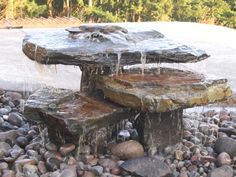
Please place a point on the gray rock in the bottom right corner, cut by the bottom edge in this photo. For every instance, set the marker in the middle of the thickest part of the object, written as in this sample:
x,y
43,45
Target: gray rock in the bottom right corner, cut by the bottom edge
x,y
224,171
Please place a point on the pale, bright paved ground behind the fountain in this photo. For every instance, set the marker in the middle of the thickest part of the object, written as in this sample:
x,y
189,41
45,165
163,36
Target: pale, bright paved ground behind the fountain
x,y
17,72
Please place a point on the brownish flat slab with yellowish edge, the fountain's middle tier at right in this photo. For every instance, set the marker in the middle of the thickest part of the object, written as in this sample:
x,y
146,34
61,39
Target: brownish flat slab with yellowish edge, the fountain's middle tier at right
x,y
168,90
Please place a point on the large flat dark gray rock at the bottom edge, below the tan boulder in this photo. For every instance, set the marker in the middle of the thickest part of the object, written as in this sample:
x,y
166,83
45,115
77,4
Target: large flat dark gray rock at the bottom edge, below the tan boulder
x,y
145,166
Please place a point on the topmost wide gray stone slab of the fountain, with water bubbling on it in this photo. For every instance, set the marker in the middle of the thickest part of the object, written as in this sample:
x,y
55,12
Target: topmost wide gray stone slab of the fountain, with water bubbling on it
x,y
102,45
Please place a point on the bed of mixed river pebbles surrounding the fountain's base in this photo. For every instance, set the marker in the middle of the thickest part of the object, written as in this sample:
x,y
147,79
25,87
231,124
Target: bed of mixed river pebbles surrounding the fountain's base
x,y
208,149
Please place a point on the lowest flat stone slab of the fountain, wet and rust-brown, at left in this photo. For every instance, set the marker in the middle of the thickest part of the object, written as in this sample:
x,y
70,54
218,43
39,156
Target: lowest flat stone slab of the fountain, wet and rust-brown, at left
x,y
74,113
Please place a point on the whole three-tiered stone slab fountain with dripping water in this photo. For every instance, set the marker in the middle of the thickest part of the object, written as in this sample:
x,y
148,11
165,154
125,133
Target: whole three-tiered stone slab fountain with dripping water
x,y
152,98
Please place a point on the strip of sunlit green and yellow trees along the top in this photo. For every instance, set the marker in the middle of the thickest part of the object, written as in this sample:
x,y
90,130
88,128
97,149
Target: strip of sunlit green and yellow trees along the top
x,y
219,12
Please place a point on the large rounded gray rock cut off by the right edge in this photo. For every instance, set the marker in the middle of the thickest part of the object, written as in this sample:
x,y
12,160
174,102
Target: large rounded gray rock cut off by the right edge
x,y
227,145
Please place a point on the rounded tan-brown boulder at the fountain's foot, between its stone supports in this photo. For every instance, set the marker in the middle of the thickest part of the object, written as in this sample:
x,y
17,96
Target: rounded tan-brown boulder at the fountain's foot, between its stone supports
x,y
128,150
